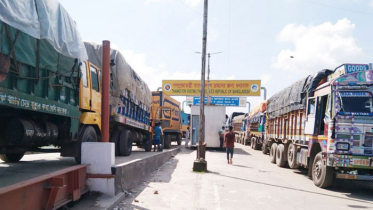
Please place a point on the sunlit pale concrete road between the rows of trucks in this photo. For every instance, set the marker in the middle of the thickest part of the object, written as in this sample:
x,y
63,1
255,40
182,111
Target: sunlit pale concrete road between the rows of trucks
x,y
252,182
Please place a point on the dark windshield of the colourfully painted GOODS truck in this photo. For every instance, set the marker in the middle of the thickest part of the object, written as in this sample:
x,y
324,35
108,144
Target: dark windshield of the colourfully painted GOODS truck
x,y
356,102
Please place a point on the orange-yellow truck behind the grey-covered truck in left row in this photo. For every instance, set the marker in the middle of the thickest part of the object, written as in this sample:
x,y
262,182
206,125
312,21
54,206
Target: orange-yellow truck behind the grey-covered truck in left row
x,y
171,113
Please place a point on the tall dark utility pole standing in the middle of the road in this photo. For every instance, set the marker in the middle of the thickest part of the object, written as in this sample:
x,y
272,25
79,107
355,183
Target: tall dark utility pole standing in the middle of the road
x,y
200,164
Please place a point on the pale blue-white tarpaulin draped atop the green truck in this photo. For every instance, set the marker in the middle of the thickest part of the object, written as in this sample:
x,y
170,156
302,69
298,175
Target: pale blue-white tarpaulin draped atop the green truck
x,y
46,20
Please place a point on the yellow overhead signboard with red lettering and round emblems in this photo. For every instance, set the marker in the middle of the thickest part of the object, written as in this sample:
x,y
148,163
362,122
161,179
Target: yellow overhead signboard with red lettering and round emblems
x,y
217,87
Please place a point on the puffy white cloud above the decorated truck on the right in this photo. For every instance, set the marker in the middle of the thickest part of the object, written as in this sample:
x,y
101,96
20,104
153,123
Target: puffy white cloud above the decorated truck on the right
x,y
317,47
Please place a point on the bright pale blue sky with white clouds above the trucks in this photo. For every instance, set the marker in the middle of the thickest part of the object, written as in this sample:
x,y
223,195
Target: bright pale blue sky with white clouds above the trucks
x,y
275,41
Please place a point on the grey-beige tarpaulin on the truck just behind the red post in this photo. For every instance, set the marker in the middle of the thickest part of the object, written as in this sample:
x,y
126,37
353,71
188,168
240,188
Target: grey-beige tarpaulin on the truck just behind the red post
x,y
124,78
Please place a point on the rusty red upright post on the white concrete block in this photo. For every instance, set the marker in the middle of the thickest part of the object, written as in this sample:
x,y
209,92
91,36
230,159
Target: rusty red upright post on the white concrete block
x,y
105,91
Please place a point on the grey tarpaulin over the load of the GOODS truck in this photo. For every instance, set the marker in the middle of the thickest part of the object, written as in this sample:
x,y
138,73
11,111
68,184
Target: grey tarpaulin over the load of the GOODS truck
x,y
289,99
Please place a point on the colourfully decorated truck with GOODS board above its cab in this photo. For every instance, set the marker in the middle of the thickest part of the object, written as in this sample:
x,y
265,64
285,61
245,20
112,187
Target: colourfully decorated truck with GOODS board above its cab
x,y
324,123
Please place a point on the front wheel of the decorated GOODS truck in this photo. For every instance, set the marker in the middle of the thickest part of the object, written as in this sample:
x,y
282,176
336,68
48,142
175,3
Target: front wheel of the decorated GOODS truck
x,y
322,175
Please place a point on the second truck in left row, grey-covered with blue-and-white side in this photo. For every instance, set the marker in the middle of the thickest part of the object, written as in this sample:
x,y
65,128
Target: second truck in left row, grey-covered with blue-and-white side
x,y
130,102
